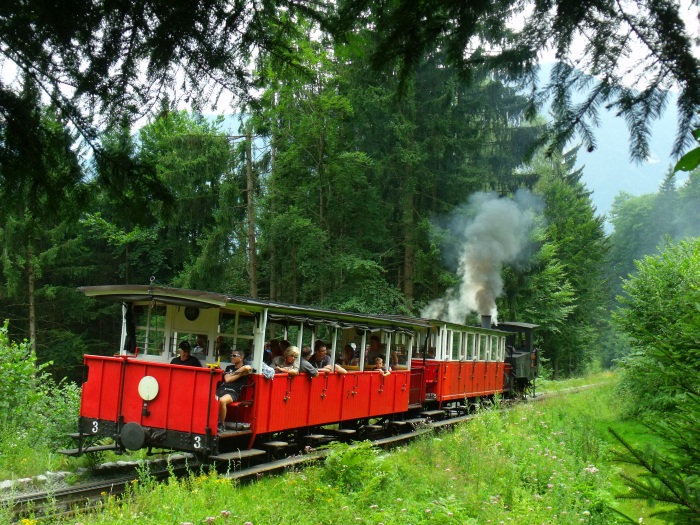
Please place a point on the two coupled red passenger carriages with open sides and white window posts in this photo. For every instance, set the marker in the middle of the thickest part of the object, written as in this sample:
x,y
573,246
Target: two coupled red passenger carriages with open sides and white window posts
x,y
139,399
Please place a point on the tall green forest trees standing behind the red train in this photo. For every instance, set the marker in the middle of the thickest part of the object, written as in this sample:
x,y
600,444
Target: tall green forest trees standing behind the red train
x,y
347,185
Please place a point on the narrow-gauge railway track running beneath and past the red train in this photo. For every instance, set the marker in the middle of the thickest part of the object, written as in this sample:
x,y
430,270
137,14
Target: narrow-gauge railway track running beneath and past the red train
x,y
65,502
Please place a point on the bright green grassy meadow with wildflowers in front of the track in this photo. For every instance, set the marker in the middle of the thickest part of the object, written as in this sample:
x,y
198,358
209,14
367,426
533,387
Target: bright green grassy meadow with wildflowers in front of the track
x,y
540,463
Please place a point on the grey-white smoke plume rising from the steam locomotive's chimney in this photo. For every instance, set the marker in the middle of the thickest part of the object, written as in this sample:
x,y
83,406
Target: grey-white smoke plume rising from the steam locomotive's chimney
x,y
491,232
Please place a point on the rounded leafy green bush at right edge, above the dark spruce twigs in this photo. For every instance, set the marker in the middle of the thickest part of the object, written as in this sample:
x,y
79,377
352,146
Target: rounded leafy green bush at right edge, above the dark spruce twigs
x,y
660,316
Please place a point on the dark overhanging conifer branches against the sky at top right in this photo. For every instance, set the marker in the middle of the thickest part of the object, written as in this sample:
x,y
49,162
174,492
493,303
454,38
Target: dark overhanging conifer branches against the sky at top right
x,y
406,31
